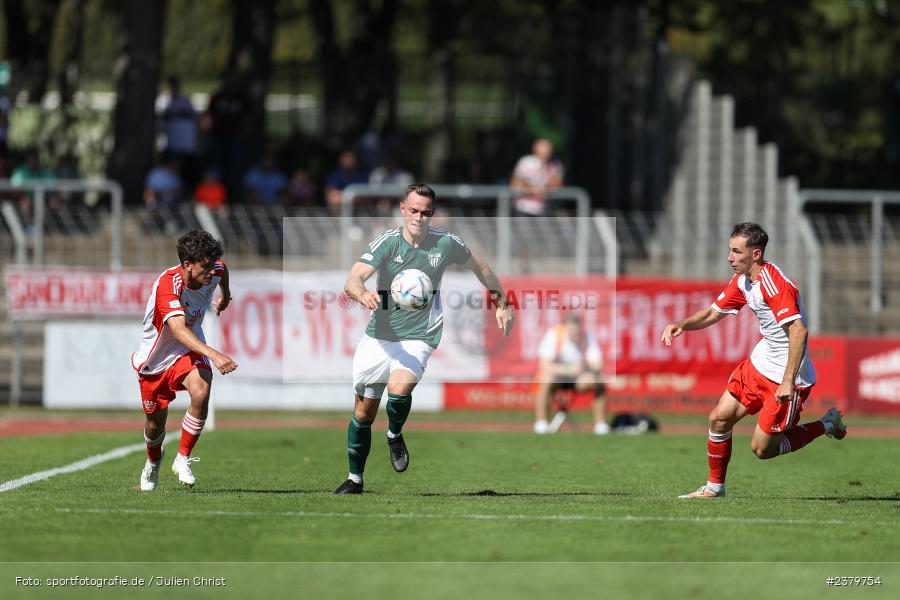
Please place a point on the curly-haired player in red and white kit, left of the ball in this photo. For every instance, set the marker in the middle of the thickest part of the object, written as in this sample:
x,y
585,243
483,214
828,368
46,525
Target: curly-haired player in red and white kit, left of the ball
x,y
173,354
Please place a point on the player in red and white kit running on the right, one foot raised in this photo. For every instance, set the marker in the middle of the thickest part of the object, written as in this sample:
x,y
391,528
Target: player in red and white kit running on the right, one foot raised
x,y
776,379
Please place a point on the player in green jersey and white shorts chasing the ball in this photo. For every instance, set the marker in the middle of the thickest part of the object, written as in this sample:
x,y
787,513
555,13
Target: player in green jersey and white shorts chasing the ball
x,y
397,343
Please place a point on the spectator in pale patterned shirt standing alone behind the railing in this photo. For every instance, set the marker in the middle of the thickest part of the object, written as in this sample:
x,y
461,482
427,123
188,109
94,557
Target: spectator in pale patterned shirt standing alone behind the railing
x,y
534,176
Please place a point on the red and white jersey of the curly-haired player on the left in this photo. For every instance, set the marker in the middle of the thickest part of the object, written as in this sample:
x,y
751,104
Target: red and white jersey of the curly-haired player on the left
x,y
170,297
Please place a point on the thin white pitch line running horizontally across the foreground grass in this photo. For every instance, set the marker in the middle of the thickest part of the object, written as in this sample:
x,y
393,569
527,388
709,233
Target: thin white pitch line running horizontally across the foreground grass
x,y
474,517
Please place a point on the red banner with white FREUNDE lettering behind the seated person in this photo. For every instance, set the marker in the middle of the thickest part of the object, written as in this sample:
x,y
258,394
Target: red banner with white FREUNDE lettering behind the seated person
x,y
627,317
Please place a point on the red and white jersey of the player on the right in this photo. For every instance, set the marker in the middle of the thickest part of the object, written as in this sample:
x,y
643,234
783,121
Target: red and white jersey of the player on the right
x,y
775,301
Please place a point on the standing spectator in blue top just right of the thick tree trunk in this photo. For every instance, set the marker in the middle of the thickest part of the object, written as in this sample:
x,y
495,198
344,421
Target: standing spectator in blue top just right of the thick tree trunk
x,y
179,125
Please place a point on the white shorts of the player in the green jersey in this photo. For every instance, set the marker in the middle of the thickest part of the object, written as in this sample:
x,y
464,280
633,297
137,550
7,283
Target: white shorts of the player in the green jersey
x,y
375,360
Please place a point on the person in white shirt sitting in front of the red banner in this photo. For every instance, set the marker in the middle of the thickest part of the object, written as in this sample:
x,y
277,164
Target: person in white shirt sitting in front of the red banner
x,y
570,359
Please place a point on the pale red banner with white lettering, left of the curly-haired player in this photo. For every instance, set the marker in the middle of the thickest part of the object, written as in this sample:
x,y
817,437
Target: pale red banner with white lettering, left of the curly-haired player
x,y
70,292
